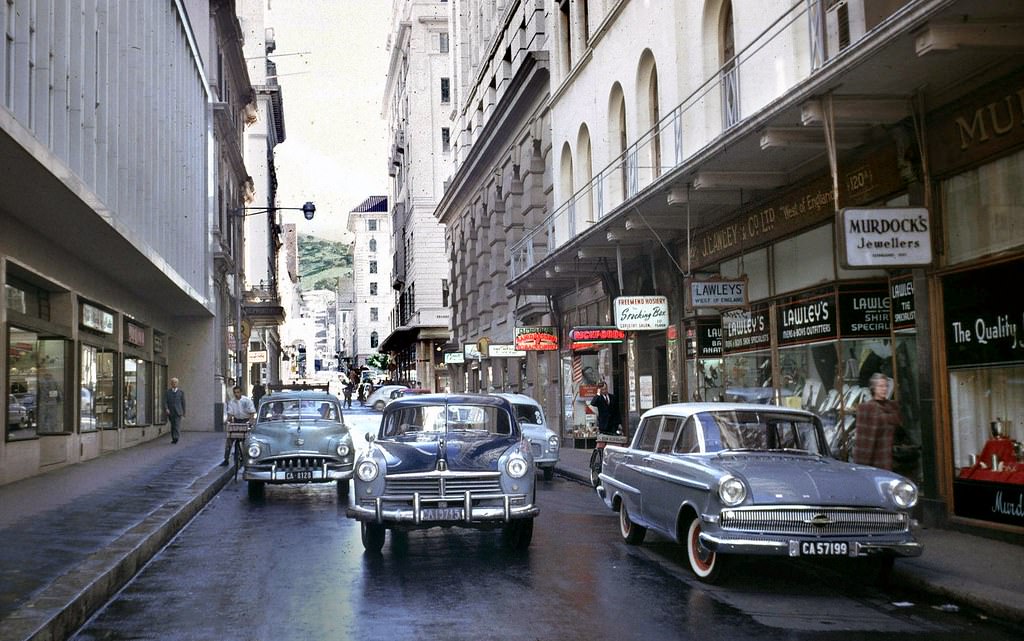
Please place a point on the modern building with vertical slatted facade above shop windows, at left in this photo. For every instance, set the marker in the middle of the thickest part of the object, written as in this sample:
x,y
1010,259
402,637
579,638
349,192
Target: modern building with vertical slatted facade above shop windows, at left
x,y
110,228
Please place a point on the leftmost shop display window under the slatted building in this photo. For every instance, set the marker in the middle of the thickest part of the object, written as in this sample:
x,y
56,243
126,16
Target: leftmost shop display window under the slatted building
x,y
37,378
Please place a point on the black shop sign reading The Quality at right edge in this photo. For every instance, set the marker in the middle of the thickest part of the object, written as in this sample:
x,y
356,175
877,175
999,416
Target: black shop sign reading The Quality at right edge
x,y
985,325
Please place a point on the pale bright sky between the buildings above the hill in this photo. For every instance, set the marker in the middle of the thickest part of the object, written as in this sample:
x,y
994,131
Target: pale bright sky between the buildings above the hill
x,y
332,65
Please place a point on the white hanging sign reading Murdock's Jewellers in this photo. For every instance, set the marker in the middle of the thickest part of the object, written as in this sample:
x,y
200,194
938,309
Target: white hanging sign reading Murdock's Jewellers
x,y
888,237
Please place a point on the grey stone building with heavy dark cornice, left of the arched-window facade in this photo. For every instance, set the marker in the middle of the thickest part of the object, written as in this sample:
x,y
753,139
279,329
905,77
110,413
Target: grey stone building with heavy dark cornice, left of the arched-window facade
x,y
500,189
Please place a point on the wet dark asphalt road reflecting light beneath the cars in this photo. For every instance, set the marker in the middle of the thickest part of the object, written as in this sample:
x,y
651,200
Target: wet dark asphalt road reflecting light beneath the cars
x,y
292,567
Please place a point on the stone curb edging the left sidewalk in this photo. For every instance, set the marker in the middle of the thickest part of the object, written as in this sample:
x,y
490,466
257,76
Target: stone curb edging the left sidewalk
x,y
69,603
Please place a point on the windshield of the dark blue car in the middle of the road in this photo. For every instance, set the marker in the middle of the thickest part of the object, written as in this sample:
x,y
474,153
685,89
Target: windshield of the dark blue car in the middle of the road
x,y
442,419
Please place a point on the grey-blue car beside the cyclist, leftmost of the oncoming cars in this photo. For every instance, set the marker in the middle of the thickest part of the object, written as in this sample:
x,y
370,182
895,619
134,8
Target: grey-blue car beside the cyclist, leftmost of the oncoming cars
x,y
298,438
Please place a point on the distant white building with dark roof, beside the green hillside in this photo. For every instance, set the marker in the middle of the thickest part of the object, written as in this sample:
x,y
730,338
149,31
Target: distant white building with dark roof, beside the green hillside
x,y
371,226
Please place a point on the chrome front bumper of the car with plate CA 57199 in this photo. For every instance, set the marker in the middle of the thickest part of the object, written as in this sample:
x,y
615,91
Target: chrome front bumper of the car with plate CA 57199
x,y
792,546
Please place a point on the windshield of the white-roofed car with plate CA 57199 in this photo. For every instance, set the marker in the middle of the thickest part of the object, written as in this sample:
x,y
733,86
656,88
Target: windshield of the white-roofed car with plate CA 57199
x,y
759,432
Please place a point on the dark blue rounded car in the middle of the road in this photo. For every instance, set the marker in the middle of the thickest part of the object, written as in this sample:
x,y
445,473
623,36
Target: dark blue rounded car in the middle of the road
x,y
443,461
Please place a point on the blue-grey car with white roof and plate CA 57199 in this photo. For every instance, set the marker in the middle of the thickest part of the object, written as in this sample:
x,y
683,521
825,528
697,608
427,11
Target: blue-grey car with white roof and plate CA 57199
x,y
728,480
